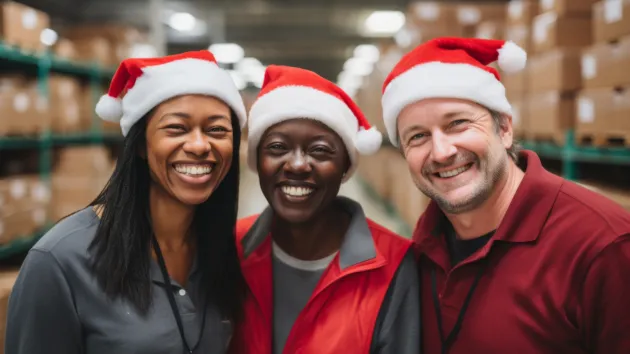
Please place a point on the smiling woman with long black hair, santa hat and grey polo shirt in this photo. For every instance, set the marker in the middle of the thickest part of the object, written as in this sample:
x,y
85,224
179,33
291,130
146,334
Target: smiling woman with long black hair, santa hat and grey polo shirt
x,y
150,266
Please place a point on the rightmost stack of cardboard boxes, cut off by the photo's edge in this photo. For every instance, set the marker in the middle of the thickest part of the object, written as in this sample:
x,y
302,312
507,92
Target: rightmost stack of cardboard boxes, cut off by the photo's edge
x,y
603,107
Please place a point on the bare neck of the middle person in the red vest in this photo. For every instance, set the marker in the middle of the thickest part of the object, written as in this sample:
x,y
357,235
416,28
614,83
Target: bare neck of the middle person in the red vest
x,y
315,239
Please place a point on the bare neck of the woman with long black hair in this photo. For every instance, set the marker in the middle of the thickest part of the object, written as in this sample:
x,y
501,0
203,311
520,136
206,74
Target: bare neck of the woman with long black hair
x,y
171,220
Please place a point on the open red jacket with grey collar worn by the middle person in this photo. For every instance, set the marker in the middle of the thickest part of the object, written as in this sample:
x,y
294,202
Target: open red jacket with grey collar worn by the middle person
x,y
363,303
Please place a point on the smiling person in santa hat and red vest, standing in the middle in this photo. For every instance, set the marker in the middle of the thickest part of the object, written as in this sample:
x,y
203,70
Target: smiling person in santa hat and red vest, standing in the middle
x,y
322,277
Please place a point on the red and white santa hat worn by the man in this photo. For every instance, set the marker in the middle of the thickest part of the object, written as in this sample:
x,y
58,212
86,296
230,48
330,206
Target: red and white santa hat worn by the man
x,y
450,68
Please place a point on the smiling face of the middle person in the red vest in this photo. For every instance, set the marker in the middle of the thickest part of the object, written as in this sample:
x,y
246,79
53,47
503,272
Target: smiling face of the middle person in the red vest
x,y
300,165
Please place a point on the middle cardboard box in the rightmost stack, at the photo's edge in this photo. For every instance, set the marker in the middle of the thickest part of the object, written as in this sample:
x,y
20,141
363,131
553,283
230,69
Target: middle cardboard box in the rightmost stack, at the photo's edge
x,y
606,64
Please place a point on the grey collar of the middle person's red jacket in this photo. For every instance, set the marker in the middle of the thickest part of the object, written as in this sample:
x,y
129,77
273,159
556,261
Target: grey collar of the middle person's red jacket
x,y
357,245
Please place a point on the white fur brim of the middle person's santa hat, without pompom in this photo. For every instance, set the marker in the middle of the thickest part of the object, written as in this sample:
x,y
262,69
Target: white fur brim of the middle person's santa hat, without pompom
x,y
294,102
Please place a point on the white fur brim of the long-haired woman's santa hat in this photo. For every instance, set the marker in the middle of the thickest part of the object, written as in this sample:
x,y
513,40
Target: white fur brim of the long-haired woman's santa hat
x,y
182,77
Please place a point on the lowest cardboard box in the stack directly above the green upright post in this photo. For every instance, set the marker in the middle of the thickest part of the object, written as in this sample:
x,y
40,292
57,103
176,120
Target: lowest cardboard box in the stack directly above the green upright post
x,y
550,113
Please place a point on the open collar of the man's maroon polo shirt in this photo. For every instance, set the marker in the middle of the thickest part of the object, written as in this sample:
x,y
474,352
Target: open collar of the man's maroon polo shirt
x,y
531,206
